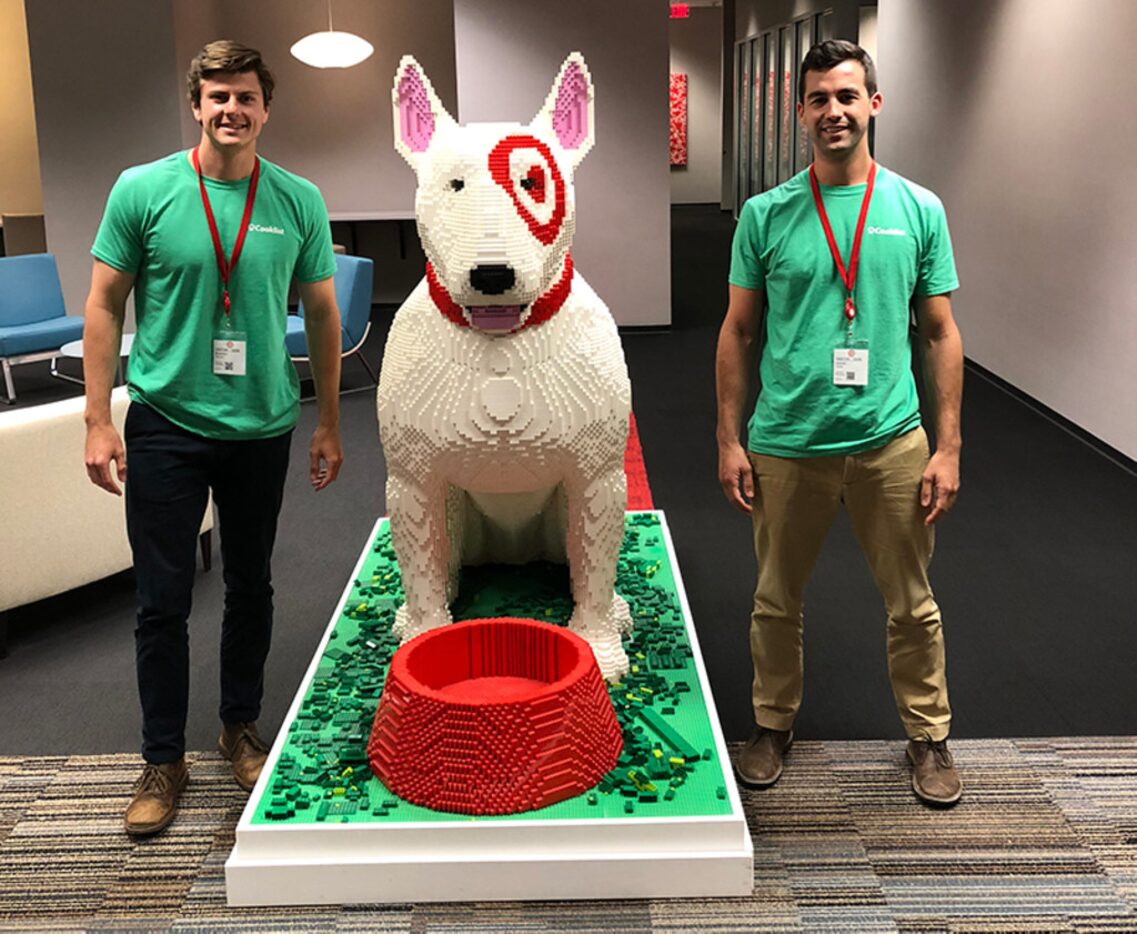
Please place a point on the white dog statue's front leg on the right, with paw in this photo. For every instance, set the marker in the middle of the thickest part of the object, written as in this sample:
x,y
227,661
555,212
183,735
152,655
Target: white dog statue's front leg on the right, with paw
x,y
596,531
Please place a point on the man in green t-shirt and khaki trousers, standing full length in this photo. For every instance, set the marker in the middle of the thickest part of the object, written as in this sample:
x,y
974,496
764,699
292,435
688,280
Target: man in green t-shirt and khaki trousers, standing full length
x,y
831,263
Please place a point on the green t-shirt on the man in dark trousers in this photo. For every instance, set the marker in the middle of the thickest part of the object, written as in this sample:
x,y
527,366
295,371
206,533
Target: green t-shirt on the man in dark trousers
x,y
155,227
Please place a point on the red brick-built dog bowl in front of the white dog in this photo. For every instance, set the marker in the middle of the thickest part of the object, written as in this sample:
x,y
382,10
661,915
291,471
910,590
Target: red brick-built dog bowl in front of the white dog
x,y
494,716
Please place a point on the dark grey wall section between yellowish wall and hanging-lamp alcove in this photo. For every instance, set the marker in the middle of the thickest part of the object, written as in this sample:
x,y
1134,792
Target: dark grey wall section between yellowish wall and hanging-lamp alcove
x,y
105,84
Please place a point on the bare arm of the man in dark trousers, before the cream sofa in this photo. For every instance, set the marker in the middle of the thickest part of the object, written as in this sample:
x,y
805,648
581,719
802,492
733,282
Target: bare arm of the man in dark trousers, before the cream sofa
x,y
103,335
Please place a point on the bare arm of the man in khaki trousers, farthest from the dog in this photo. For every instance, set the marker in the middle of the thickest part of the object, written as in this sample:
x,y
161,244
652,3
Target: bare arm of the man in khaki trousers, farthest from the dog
x,y
942,357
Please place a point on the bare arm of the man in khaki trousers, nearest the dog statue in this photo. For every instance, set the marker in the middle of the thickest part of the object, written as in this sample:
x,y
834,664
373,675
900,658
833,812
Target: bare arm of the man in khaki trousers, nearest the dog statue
x,y
734,363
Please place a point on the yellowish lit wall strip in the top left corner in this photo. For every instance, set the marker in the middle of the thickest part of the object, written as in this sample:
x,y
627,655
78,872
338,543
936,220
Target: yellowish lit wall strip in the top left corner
x,y
20,159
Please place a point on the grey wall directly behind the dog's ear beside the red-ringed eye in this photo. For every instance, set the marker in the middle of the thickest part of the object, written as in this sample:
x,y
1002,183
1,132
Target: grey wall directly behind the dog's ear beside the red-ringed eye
x,y
509,53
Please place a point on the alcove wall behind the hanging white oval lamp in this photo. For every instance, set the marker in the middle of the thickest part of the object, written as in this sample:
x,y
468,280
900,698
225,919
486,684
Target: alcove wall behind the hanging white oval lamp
x,y
330,126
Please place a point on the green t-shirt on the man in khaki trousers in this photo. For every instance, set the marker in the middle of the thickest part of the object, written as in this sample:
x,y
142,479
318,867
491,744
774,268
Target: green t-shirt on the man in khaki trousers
x,y
781,247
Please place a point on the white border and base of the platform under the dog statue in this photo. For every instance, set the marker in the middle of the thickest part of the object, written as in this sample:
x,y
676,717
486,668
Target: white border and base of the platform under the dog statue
x,y
487,861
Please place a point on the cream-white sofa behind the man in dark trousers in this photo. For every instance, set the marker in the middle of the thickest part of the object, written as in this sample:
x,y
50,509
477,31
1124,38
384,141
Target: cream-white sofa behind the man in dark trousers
x,y
57,530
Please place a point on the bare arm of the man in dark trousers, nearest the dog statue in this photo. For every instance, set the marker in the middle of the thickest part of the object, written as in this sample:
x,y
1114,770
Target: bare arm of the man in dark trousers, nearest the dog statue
x,y
322,328
